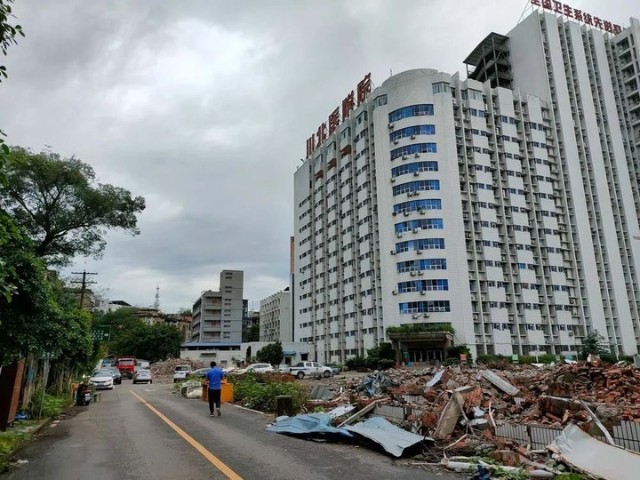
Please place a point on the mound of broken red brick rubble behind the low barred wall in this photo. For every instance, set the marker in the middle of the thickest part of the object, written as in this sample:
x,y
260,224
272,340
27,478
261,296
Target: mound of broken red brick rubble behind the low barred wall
x,y
550,395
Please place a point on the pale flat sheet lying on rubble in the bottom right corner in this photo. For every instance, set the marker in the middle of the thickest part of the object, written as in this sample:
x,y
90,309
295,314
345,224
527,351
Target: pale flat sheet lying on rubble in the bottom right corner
x,y
595,457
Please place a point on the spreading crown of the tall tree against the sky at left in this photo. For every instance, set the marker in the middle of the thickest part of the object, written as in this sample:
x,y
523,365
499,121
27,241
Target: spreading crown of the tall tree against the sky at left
x,y
61,207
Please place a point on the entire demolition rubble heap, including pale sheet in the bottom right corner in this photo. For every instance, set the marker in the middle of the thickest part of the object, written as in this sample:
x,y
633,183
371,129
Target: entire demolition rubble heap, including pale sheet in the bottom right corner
x,y
460,410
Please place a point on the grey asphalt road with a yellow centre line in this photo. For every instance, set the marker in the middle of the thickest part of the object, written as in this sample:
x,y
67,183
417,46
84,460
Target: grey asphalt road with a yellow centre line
x,y
147,432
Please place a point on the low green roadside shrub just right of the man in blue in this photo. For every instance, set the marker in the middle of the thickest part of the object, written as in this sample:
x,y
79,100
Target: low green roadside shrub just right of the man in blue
x,y
259,391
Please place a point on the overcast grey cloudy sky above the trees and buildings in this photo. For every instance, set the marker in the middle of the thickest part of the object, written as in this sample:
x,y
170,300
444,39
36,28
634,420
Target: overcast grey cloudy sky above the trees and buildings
x,y
204,107
